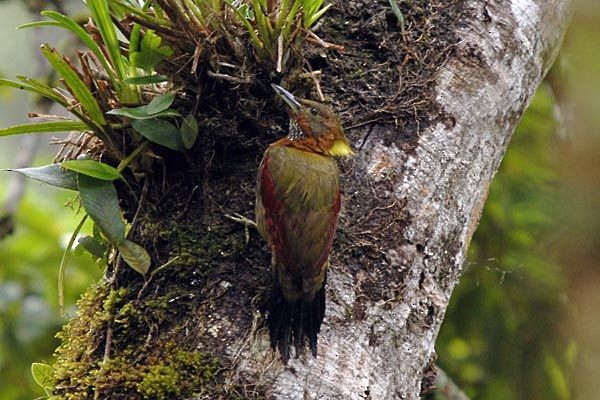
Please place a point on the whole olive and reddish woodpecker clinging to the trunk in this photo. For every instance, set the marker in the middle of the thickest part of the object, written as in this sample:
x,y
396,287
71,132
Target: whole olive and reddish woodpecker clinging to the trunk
x,y
297,204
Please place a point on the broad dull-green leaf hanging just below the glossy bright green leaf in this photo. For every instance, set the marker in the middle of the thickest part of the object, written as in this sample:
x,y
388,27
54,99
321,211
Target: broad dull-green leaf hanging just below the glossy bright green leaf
x,y
100,201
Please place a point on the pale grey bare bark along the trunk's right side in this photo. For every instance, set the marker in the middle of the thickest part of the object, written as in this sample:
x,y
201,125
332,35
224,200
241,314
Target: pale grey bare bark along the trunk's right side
x,y
439,190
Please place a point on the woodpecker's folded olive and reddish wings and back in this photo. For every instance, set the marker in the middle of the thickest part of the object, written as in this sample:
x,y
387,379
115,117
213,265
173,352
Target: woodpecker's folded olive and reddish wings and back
x,y
299,192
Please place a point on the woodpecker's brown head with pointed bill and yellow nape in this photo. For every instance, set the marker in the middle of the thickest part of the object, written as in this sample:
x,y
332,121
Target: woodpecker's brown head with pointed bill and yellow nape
x,y
314,125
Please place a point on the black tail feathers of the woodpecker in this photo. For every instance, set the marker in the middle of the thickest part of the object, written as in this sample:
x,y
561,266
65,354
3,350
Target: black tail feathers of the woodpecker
x,y
290,322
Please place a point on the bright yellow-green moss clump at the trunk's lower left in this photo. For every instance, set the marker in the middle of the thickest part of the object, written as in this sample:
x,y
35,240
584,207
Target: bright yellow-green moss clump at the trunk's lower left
x,y
137,368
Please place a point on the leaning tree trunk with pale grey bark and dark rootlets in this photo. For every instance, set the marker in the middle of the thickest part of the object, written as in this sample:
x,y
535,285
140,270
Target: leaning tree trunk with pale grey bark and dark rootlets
x,y
413,196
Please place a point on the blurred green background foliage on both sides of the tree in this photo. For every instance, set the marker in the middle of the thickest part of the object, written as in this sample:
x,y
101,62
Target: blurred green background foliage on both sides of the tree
x,y
523,324
